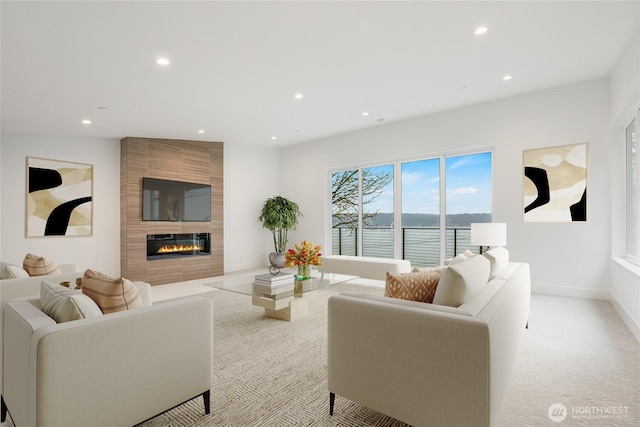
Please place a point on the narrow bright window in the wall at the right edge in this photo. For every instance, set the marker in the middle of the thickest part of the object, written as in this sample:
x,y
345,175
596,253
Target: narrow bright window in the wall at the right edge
x,y
633,196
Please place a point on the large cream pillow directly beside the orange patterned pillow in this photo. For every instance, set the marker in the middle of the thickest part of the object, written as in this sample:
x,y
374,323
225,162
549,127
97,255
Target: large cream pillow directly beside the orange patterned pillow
x,y
461,280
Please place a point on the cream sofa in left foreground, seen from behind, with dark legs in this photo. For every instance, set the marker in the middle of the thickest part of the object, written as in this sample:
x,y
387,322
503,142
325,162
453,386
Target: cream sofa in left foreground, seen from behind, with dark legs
x,y
118,369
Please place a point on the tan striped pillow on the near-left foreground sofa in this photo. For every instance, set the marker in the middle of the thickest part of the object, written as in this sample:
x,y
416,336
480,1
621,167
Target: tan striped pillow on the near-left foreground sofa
x,y
110,294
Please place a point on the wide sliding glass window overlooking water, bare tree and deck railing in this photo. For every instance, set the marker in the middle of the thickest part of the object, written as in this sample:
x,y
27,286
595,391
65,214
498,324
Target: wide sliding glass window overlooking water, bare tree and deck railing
x,y
434,200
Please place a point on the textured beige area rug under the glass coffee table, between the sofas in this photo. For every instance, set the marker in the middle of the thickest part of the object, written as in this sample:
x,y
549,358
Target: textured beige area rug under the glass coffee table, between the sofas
x,y
270,372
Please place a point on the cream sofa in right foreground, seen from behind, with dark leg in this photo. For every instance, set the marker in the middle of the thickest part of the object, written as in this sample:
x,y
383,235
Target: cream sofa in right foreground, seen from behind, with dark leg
x,y
427,364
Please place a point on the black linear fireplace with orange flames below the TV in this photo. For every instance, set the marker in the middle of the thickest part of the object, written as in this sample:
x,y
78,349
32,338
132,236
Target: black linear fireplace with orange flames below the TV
x,y
163,246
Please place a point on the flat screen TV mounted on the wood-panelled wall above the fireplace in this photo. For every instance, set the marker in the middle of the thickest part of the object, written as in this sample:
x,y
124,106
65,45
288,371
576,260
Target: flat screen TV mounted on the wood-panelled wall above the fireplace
x,y
164,200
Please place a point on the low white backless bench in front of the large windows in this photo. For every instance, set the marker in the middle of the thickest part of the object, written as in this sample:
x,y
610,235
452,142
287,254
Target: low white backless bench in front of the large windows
x,y
365,267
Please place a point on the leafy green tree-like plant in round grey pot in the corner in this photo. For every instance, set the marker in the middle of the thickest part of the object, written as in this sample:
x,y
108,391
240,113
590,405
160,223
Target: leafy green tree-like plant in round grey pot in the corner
x,y
279,215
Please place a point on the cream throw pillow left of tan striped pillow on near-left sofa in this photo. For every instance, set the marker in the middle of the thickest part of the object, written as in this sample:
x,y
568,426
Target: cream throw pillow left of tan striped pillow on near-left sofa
x,y
63,304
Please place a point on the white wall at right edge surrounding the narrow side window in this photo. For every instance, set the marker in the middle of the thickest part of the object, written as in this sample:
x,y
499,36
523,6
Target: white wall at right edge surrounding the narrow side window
x,y
625,101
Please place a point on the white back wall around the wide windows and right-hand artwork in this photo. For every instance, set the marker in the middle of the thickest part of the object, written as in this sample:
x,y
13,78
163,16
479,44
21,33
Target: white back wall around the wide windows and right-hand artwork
x,y
570,259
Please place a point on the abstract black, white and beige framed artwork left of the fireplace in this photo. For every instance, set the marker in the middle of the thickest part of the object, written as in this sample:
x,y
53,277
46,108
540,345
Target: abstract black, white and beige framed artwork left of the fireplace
x,y
59,198
